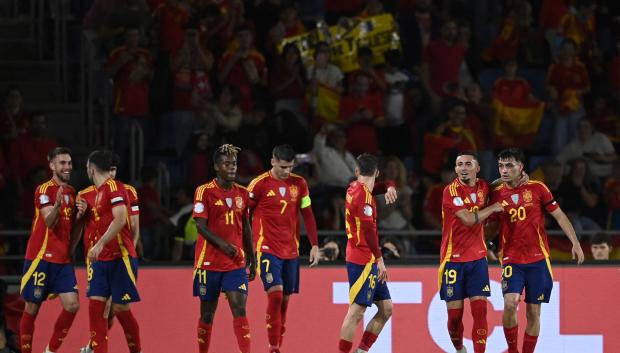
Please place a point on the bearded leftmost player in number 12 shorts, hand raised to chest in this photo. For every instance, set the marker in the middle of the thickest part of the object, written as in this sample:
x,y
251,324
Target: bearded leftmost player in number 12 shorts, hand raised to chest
x,y
48,269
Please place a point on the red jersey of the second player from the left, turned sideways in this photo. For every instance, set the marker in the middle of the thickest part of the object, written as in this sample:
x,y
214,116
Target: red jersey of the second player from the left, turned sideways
x,y
110,194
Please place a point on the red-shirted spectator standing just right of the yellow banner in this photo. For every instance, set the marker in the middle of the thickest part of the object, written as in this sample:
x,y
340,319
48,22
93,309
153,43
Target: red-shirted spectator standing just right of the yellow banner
x,y
442,62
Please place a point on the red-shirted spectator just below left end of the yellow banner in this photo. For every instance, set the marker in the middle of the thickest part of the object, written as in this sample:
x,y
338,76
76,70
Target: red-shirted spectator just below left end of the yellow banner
x,y
288,81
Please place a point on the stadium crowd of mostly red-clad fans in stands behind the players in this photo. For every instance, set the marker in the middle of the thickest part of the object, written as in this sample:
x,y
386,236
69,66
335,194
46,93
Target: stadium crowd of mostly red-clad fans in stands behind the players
x,y
543,75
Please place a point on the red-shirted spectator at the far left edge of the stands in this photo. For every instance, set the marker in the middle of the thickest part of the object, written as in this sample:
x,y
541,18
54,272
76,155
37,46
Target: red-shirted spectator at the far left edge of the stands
x,y
13,120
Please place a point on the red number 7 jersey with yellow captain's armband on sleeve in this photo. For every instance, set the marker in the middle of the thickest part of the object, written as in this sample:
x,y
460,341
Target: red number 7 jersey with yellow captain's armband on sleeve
x,y
275,222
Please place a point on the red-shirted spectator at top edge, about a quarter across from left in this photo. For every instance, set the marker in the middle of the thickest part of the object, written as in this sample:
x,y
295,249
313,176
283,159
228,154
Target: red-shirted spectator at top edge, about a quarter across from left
x,y
172,18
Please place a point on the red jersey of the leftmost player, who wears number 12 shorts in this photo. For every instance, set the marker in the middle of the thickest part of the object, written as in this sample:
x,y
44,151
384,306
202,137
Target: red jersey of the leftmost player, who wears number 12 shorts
x,y
52,245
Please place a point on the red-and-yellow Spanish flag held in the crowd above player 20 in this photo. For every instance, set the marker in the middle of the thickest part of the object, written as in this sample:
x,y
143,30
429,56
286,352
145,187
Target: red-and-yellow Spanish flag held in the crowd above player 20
x,y
517,117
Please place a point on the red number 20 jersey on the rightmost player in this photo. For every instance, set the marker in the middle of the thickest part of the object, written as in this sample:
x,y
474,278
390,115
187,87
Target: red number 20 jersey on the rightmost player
x,y
523,239
